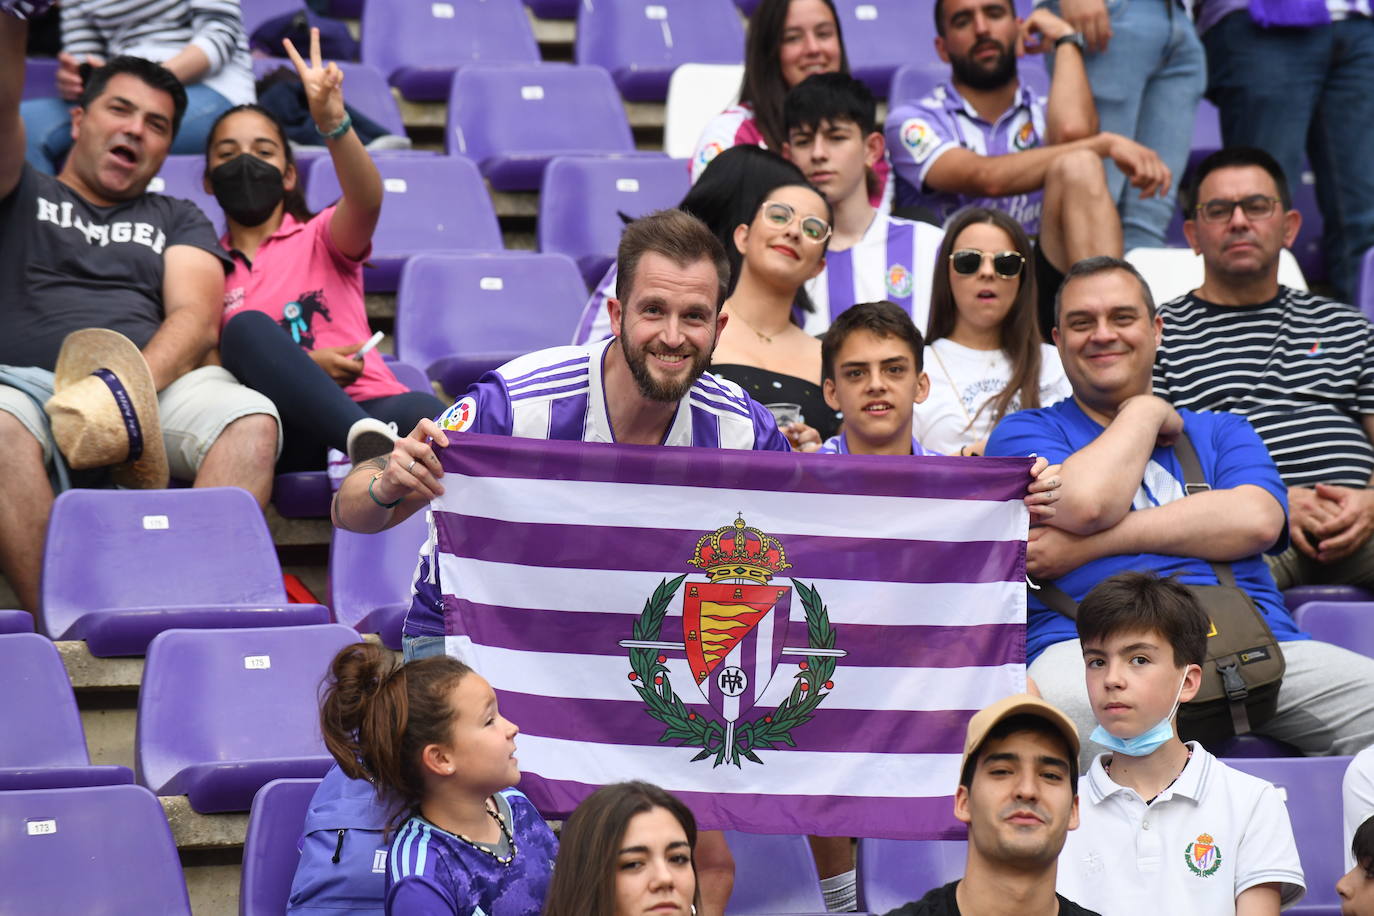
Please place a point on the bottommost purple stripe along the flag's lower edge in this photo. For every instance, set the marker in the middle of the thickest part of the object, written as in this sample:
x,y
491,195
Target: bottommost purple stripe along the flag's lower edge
x,y
861,816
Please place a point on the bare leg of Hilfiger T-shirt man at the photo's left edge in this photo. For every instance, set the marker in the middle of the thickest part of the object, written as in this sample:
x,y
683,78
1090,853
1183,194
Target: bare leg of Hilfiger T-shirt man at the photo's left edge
x,y
25,505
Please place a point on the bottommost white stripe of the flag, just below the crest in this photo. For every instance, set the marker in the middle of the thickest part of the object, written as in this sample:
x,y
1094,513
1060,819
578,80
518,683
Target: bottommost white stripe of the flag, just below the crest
x,y
792,772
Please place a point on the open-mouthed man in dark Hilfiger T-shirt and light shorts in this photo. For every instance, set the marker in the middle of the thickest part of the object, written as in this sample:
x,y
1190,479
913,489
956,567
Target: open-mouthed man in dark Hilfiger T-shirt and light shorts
x,y
91,248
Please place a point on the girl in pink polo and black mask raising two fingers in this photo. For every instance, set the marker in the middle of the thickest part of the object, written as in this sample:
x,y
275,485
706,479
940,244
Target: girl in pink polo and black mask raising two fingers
x,y
293,303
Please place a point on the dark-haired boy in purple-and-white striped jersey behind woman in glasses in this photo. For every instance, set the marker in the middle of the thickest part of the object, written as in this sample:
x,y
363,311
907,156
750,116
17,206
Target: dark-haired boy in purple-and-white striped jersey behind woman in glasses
x,y
835,138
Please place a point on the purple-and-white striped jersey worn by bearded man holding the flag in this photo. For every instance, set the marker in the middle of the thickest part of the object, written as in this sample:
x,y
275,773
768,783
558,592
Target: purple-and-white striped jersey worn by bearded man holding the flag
x,y
560,395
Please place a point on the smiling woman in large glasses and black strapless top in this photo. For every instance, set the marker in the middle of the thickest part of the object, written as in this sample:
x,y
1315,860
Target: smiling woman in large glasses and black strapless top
x,y
763,348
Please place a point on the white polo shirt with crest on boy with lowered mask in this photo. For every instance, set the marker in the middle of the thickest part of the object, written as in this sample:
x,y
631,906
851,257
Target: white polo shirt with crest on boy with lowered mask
x,y
1211,836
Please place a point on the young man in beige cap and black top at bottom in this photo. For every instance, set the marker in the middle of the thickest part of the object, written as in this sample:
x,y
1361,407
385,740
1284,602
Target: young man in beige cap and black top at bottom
x,y
1019,796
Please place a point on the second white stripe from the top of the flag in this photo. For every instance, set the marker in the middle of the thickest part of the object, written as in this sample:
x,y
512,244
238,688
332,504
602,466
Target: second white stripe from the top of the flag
x,y
850,602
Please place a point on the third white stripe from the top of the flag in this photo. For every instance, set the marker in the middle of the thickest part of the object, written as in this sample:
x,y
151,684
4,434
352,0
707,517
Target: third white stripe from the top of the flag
x,y
864,689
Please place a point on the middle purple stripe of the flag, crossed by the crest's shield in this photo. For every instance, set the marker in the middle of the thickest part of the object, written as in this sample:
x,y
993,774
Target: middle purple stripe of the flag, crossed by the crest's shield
x,y
868,645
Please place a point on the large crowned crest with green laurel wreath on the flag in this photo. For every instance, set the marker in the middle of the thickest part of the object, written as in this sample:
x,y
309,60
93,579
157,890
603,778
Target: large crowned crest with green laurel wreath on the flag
x,y
736,630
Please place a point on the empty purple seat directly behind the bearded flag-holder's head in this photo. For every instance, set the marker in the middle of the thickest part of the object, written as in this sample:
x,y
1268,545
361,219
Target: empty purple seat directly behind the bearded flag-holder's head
x,y
583,198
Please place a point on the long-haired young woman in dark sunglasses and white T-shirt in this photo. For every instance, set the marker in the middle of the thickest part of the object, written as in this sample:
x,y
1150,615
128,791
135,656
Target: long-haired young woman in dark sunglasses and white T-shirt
x,y
983,345
